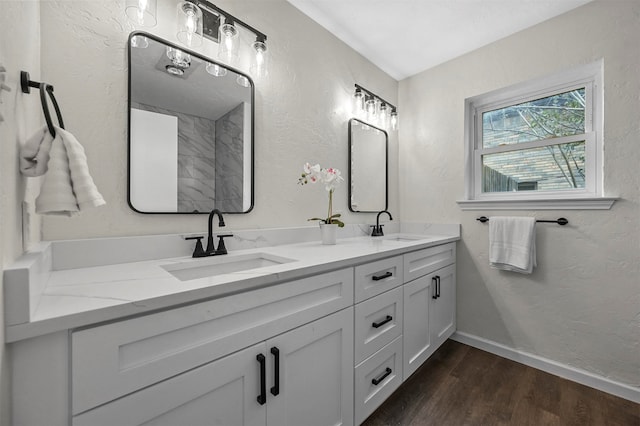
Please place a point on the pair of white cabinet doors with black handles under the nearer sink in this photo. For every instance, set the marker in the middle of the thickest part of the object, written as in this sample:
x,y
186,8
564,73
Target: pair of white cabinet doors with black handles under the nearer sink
x,y
302,377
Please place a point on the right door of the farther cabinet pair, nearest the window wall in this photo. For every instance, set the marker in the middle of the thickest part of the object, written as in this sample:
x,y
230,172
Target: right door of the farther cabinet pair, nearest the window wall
x,y
444,306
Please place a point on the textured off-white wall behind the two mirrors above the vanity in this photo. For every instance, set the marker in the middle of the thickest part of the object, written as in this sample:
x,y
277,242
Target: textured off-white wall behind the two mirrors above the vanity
x,y
300,112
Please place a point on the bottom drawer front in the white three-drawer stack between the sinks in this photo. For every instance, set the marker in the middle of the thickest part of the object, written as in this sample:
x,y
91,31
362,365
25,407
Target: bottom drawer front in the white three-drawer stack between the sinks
x,y
377,378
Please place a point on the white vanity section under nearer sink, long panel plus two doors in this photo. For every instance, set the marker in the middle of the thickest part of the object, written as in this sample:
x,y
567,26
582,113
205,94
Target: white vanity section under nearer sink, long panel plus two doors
x,y
191,365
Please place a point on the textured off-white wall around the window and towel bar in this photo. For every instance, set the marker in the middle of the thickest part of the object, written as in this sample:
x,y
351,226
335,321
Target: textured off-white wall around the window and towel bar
x,y
581,305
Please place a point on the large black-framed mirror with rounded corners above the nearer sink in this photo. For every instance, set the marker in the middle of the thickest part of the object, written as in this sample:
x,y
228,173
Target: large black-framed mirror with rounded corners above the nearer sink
x,y
190,131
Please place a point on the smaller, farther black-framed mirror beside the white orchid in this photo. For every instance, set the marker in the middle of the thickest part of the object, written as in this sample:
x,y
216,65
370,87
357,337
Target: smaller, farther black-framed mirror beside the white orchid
x,y
368,167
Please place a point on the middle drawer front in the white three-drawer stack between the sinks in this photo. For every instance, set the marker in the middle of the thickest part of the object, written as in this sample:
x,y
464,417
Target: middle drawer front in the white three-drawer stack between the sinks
x,y
378,321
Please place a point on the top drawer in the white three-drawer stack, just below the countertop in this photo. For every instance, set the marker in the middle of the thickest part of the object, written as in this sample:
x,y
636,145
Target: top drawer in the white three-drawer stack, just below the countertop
x,y
377,277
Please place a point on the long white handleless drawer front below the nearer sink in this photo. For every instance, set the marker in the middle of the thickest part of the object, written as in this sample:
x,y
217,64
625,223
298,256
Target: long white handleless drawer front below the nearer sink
x,y
116,359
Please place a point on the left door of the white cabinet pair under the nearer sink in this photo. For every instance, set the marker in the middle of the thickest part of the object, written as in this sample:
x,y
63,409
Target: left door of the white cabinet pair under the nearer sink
x,y
222,393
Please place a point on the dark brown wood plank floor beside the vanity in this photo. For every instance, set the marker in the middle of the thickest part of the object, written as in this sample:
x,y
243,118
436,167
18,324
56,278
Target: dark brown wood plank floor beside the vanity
x,y
462,385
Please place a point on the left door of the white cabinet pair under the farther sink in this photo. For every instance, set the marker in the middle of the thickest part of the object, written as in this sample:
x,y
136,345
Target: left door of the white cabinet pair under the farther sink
x,y
417,344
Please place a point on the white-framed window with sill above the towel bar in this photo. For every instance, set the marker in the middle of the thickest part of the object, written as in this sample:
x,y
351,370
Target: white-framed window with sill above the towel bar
x,y
537,143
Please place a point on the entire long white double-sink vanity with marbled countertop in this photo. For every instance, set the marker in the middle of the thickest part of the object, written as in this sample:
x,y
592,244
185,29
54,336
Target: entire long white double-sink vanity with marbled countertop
x,y
295,334
